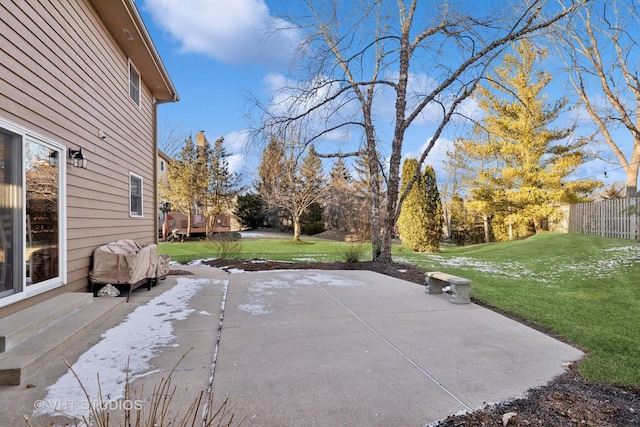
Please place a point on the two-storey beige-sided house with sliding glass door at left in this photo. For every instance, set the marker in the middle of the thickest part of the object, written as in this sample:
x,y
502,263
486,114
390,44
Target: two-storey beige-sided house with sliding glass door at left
x,y
74,75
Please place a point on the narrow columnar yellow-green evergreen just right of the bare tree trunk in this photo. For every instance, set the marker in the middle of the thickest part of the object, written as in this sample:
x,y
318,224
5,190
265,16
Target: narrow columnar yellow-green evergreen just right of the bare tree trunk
x,y
421,219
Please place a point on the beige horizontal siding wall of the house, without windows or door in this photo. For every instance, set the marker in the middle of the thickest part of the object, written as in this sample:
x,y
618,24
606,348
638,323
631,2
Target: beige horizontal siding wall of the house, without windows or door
x,y
63,76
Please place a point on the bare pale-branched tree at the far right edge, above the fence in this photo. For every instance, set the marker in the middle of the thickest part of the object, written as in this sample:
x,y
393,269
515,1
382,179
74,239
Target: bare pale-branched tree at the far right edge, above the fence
x,y
601,49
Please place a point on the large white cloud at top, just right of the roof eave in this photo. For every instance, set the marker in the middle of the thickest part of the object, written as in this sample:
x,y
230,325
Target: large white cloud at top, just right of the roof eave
x,y
235,32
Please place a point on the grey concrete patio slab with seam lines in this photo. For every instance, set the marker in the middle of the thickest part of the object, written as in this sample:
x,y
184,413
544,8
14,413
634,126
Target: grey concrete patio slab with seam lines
x,y
309,348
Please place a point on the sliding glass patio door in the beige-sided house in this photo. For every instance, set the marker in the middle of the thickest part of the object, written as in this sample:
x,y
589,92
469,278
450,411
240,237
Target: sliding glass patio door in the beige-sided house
x,y
30,214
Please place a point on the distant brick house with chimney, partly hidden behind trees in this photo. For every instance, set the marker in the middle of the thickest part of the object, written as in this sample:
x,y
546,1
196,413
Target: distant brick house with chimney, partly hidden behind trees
x,y
174,220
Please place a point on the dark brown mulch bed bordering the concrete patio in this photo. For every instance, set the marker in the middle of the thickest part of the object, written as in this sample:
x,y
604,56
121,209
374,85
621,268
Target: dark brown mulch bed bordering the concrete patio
x,y
569,400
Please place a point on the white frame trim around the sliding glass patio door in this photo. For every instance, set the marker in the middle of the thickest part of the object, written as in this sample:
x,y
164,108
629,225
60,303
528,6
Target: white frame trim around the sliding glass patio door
x,y
61,280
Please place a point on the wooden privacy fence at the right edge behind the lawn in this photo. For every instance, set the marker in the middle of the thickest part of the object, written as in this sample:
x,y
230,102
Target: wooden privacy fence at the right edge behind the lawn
x,y
616,218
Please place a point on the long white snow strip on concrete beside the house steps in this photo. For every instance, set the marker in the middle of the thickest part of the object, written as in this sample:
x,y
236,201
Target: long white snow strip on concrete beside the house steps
x,y
136,340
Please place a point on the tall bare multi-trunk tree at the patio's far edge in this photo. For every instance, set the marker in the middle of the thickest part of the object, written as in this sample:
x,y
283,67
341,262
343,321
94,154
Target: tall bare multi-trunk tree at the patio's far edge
x,y
367,56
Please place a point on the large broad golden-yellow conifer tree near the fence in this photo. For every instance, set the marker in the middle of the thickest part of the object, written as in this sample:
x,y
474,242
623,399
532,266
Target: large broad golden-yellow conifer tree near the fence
x,y
521,161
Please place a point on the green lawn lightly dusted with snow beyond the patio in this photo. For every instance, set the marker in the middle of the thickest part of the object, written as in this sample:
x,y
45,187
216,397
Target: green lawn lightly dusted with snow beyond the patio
x,y
585,289
